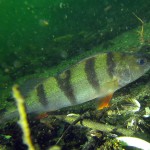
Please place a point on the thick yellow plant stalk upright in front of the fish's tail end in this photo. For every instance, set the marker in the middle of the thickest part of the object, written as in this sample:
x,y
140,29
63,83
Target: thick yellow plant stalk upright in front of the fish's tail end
x,y
23,117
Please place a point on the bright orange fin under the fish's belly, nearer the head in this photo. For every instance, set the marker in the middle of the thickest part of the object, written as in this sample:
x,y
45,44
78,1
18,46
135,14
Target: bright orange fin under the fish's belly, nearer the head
x,y
104,102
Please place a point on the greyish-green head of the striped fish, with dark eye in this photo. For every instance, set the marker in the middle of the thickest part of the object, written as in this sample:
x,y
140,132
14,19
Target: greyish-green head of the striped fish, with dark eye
x,y
130,67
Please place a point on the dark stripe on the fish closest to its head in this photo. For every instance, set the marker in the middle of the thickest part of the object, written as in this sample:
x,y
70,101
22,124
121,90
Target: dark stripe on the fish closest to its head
x,y
110,64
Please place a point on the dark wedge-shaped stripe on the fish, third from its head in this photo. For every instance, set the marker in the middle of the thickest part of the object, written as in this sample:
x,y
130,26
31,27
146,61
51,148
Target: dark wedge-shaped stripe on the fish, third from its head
x,y
65,86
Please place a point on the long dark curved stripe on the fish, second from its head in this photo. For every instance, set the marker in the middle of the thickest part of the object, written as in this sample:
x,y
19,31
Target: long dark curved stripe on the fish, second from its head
x,y
91,74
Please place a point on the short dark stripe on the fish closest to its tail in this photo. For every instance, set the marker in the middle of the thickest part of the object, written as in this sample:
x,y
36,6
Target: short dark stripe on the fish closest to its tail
x,y
41,95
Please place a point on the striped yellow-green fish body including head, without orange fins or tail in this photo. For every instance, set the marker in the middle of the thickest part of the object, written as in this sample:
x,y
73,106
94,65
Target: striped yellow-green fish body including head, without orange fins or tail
x,y
94,77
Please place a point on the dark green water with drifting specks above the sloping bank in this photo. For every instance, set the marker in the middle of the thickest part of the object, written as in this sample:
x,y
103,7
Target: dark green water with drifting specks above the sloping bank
x,y
36,35
